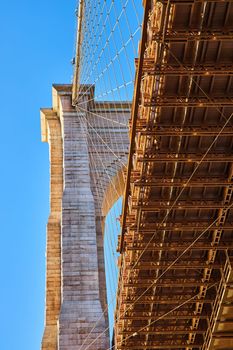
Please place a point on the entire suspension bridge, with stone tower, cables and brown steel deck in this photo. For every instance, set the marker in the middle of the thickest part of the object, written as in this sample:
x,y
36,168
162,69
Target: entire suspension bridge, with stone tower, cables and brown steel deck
x,y
140,232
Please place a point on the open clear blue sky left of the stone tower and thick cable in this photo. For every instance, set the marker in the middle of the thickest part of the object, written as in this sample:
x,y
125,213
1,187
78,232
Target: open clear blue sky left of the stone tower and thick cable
x,y
37,40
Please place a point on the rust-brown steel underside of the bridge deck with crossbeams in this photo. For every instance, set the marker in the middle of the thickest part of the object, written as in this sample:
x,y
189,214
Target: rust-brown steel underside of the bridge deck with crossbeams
x,y
176,285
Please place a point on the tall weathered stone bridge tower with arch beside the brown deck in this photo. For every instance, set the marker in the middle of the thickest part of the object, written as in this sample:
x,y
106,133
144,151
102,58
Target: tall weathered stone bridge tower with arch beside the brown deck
x,y
75,277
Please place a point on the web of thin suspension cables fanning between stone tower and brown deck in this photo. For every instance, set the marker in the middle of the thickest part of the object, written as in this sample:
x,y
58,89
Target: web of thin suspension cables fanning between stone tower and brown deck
x,y
109,35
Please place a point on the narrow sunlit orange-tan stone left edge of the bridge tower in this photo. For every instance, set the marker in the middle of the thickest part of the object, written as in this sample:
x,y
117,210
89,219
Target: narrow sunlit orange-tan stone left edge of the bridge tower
x,y
52,126
